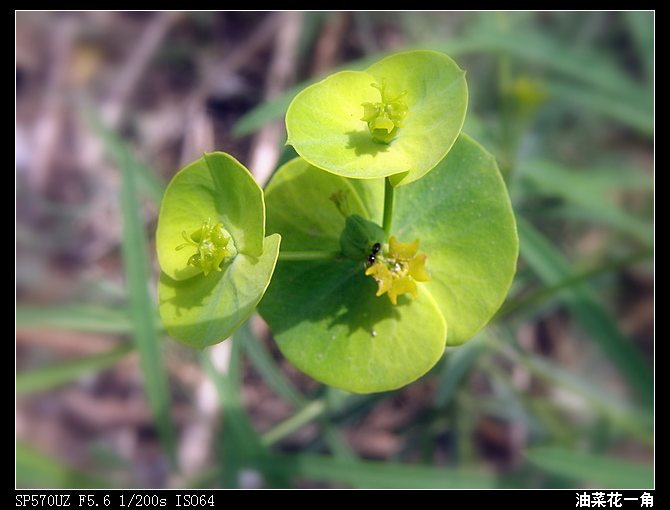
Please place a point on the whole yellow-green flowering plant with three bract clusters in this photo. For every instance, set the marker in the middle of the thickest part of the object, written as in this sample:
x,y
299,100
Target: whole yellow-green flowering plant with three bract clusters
x,y
397,233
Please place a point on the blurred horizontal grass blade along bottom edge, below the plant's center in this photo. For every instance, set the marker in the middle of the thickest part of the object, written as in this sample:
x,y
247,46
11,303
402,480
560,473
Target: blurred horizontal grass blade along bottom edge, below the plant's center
x,y
371,474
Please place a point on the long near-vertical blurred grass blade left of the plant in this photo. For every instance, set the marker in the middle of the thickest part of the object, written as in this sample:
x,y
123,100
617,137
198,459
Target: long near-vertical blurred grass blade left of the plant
x,y
142,310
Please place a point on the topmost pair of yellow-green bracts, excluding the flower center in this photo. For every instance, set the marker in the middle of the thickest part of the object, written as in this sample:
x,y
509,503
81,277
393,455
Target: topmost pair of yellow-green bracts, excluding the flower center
x,y
324,121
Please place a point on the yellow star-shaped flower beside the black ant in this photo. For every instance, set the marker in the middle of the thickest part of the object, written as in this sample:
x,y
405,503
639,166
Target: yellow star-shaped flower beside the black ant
x,y
398,269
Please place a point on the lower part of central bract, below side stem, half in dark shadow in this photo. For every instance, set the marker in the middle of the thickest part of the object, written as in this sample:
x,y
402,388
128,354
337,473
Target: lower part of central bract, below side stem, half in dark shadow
x,y
328,322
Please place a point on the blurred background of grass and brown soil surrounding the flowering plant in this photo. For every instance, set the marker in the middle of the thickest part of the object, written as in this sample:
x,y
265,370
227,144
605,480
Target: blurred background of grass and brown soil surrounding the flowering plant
x,y
556,392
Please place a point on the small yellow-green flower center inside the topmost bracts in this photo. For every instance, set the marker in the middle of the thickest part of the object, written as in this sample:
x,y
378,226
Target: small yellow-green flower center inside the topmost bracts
x,y
385,117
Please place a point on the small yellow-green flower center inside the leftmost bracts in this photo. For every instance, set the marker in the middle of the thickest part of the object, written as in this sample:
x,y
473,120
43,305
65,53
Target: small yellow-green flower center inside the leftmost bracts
x,y
213,245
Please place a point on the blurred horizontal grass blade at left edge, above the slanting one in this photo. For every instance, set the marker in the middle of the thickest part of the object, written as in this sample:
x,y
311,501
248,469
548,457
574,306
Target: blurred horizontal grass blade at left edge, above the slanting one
x,y
94,319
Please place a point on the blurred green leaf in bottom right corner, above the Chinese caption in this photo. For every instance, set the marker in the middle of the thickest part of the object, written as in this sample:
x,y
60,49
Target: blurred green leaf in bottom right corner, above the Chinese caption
x,y
602,472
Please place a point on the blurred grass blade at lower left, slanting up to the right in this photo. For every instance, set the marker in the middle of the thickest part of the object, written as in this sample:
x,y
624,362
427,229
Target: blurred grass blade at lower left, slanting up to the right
x,y
48,378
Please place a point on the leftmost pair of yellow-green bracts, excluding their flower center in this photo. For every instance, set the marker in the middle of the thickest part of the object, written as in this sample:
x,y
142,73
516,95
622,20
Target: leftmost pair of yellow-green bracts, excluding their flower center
x,y
199,309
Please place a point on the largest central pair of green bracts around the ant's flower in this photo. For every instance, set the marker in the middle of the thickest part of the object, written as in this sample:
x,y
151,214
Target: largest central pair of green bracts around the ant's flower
x,y
325,315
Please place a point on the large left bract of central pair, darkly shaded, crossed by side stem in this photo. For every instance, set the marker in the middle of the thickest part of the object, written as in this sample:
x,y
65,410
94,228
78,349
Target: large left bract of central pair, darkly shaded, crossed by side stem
x,y
324,314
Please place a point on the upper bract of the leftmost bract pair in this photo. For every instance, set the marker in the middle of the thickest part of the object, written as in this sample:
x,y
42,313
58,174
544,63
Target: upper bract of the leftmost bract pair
x,y
218,188
